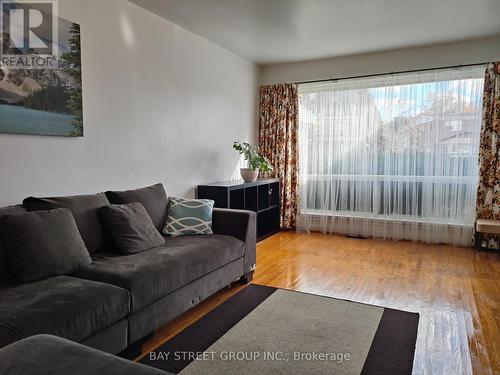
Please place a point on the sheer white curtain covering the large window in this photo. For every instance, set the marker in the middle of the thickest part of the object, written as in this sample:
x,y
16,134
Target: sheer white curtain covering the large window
x,y
393,156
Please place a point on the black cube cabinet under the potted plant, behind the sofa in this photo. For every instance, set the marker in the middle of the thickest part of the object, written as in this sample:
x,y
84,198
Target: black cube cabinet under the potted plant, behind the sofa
x,y
261,196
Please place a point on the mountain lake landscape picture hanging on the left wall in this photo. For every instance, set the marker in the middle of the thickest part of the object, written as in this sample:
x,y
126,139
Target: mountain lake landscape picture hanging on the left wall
x,y
41,89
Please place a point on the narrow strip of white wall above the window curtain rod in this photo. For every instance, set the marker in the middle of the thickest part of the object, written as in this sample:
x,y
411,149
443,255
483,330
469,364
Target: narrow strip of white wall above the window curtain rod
x,y
468,52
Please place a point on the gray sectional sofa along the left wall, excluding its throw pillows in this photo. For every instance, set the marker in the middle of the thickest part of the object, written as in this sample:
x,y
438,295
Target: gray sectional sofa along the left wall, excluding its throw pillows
x,y
118,300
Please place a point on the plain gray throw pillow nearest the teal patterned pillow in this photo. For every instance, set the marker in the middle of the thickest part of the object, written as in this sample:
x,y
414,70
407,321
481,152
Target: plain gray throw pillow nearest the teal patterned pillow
x,y
130,228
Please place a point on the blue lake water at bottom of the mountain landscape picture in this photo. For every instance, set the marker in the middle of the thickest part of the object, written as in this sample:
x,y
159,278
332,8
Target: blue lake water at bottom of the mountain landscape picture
x,y
20,120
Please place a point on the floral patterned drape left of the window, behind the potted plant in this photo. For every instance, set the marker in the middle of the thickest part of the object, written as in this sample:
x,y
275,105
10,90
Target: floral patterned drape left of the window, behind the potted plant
x,y
278,130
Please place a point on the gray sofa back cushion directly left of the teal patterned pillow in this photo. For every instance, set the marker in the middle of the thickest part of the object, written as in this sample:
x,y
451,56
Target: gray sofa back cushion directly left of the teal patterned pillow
x,y
153,198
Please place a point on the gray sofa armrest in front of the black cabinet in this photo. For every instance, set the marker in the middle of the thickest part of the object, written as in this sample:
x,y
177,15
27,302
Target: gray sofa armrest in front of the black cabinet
x,y
242,225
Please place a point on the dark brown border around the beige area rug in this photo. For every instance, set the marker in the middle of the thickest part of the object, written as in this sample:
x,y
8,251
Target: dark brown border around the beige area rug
x,y
395,337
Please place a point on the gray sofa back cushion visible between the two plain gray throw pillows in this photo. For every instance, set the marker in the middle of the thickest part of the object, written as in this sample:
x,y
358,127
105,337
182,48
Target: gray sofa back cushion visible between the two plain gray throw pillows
x,y
85,210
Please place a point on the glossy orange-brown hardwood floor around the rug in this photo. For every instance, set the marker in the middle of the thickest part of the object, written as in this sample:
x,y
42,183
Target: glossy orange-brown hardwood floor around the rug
x,y
455,290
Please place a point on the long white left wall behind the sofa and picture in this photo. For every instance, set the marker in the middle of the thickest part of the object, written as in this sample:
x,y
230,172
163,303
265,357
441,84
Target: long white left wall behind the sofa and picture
x,y
161,104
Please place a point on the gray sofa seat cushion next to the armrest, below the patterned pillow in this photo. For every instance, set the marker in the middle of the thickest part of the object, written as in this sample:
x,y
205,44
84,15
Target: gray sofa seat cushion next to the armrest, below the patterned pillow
x,y
155,273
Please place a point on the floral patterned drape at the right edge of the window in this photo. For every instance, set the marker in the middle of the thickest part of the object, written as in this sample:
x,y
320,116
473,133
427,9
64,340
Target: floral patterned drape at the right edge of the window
x,y
488,195
